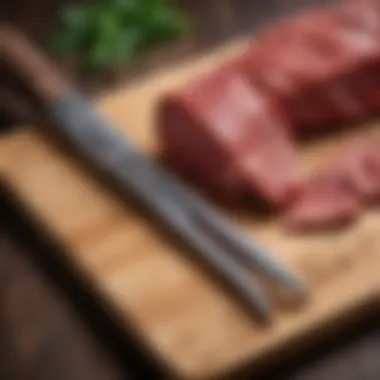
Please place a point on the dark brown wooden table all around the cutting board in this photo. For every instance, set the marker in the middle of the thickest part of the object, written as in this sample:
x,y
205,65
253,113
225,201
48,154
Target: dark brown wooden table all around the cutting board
x,y
48,329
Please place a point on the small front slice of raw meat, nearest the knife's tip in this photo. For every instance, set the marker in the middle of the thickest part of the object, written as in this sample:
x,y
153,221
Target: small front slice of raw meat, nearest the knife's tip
x,y
323,204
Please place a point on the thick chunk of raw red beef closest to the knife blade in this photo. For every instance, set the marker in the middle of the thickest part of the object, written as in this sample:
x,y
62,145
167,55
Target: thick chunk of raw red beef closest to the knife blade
x,y
230,136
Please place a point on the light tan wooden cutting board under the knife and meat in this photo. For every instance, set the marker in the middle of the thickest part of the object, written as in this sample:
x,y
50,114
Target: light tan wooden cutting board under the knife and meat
x,y
187,318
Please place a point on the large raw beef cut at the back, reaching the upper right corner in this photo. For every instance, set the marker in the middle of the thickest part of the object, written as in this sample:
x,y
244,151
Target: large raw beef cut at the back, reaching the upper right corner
x,y
323,66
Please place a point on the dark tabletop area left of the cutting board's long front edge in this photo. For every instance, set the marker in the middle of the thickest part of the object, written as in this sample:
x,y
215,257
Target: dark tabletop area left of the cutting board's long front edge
x,y
48,318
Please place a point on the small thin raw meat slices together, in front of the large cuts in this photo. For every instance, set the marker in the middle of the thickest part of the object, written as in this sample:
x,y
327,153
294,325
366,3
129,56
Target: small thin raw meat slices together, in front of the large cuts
x,y
350,178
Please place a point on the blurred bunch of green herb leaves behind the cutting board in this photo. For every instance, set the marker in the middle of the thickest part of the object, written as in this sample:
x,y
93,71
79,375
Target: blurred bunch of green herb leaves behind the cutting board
x,y
109,33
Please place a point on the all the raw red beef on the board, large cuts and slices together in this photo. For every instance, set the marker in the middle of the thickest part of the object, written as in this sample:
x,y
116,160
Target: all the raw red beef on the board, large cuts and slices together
x,y
233,127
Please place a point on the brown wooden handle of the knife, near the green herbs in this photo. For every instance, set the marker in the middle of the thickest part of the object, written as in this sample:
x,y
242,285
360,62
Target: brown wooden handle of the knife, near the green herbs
x,y
35,69
